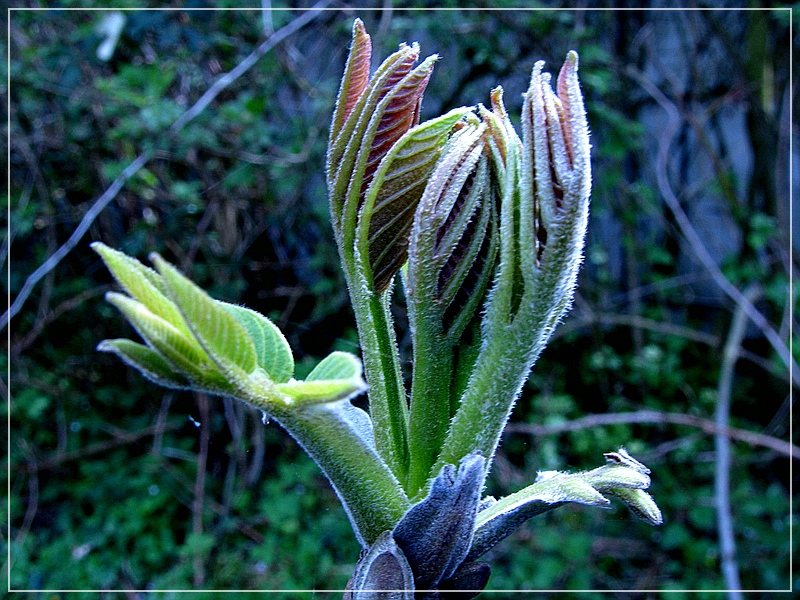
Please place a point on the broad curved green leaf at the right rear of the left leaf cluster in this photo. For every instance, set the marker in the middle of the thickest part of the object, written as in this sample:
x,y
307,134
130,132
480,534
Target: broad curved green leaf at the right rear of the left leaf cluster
x,y
273,353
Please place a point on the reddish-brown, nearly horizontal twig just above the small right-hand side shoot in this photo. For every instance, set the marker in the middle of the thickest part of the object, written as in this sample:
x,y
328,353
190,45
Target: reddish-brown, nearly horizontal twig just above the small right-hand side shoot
x,y
654,416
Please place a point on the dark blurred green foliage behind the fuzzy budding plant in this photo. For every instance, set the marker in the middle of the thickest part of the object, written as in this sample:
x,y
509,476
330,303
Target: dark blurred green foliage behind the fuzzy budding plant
x,y
118,484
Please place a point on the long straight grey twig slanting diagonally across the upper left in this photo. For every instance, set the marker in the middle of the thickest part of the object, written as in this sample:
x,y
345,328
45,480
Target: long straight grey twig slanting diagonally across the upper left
x,y
220,84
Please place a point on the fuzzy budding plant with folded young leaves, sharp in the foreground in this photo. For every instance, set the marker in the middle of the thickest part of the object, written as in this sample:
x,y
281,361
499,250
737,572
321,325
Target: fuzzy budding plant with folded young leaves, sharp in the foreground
x,y
486,228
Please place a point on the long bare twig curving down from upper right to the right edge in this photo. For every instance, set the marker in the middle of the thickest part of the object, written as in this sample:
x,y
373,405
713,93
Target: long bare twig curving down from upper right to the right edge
x,y
691,235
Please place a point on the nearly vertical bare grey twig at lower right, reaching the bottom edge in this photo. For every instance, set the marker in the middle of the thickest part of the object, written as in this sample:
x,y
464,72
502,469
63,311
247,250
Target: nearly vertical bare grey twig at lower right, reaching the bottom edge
x,y
722,445
